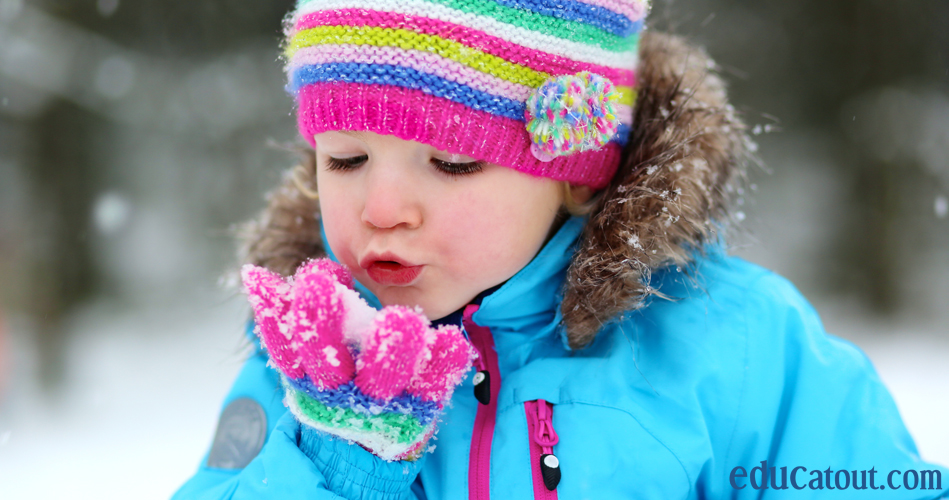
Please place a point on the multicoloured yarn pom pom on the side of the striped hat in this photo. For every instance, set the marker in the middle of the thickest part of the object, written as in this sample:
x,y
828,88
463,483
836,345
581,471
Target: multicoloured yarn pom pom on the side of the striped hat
x,y
571,113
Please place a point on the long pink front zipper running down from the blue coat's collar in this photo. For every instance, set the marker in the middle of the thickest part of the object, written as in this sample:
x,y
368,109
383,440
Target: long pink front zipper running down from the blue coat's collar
x,y
479,458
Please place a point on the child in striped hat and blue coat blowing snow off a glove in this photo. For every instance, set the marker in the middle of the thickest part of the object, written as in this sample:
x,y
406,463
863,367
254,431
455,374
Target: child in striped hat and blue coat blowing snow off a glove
x,y
499,165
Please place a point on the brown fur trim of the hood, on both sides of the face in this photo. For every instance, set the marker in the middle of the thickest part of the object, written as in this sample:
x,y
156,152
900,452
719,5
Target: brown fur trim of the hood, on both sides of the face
x,y
670,196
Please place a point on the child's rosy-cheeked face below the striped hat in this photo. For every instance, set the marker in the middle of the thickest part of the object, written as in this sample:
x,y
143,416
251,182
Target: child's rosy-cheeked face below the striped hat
x,y
453,236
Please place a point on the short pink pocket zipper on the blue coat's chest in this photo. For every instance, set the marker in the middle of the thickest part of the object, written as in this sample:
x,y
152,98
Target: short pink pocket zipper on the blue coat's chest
x,y
545,467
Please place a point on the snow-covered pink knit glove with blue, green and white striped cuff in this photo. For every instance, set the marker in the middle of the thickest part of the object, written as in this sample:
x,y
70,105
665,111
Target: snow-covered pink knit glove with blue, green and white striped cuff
x,y
379,378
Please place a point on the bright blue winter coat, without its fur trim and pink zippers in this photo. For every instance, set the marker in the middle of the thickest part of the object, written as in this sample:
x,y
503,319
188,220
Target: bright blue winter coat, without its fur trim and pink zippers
x,y
681,399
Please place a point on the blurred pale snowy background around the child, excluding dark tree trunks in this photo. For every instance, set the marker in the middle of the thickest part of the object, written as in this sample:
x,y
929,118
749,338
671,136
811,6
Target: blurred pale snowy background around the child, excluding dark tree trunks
x,y
181,154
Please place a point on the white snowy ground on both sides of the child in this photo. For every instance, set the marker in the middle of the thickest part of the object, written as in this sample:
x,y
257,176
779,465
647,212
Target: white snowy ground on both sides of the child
x,y
144,389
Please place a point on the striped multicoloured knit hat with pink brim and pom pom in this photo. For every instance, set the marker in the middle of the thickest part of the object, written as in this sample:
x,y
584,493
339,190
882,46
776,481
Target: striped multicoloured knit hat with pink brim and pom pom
x,y
542,86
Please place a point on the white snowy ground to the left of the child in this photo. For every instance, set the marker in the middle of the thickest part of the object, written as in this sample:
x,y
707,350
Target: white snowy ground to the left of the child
x,y
137,412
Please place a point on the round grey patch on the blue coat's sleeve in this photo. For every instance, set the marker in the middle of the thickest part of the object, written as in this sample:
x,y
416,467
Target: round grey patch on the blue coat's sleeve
x,y
240,435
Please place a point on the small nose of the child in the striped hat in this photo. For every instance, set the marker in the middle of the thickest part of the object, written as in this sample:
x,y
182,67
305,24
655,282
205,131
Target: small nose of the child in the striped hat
x,y
392,198
